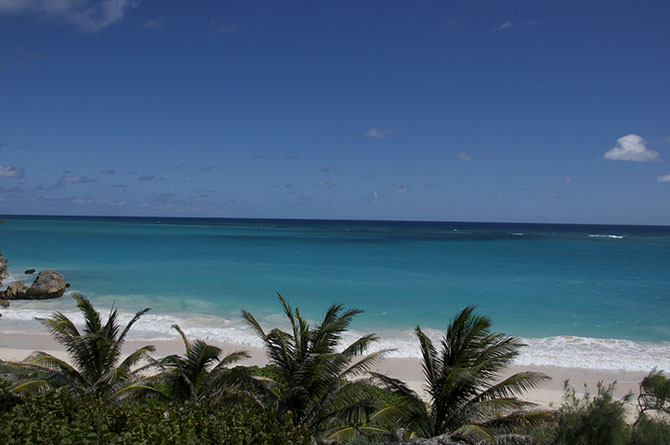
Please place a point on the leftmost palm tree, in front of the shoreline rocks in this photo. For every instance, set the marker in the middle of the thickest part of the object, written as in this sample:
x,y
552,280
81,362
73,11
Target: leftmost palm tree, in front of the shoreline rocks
x,y
94,353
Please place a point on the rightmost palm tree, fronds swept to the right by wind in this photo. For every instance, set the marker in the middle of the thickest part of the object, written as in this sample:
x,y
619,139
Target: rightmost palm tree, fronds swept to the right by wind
x,y
462,380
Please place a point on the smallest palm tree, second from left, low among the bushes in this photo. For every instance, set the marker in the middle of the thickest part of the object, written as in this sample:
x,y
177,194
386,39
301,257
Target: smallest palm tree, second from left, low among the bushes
x,y
194,375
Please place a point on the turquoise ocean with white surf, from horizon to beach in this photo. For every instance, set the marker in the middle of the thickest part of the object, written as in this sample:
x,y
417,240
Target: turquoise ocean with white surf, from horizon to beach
x,y
591,296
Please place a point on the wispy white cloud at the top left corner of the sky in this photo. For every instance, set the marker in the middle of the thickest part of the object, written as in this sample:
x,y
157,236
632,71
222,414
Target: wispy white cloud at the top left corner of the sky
x,y
88,15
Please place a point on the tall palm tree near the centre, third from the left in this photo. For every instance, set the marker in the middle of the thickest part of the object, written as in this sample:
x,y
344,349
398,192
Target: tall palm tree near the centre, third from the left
x,y
318,391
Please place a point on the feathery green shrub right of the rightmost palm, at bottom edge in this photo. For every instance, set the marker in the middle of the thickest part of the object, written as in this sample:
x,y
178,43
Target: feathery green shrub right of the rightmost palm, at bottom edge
x,y
592,419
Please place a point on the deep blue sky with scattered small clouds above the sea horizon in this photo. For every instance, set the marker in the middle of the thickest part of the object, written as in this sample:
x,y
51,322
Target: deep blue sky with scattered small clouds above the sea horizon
x,y
519,111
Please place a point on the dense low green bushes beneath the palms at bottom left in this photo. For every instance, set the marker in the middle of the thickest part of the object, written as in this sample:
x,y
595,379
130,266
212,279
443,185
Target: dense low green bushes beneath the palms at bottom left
x,y
65,418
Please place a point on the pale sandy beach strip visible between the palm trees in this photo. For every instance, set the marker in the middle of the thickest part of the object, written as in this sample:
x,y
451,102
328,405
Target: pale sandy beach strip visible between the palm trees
x,y
16,347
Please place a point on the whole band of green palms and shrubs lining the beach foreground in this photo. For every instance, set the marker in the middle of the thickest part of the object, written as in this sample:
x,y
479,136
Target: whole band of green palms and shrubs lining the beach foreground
x,y
315,390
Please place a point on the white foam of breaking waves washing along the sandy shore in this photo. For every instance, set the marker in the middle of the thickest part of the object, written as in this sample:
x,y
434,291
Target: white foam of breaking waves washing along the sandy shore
x,y
562,351
